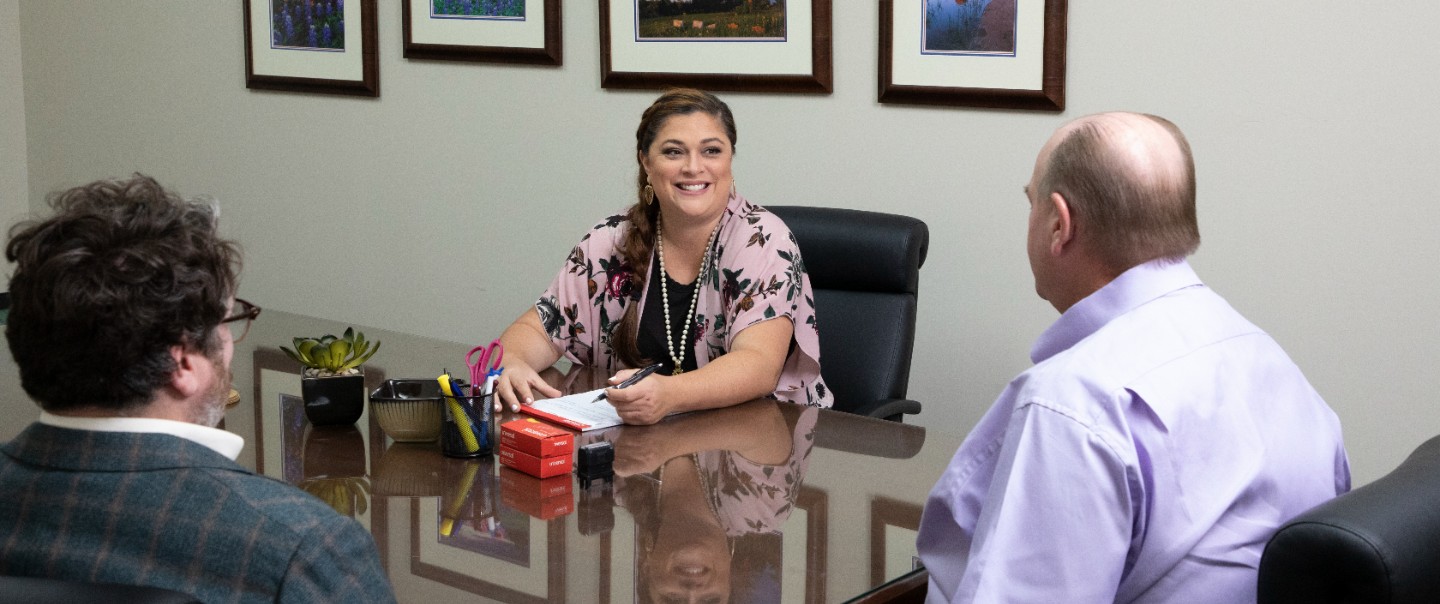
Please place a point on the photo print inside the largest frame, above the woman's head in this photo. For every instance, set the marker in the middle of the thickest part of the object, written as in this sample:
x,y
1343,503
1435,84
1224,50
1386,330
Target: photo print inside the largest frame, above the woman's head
x,y
703,19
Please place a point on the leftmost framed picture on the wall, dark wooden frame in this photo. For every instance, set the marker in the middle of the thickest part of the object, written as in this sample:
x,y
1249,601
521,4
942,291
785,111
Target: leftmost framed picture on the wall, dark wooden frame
x,y
284,51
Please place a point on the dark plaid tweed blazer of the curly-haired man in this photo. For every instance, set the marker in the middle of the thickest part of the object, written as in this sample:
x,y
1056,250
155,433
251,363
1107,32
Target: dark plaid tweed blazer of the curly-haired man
x,y
155,510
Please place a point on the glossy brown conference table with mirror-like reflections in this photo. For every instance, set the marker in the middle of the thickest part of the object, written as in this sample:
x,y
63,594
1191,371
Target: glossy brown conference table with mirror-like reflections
x,y
472,531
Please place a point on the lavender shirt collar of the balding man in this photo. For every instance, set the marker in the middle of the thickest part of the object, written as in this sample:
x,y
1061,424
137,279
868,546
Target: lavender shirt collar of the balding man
x,y
1137,286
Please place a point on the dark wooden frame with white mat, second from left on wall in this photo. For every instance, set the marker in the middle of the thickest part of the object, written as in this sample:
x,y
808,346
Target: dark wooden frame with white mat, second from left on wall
x,y
534,38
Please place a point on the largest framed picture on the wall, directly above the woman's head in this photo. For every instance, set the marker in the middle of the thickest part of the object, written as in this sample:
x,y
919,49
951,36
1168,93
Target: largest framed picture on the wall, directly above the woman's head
x,y
734,51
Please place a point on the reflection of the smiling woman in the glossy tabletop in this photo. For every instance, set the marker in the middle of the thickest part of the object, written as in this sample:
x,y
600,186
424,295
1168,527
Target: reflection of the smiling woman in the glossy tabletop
x,y
709,523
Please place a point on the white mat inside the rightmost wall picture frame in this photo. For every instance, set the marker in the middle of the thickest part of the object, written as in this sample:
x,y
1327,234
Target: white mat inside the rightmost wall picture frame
x,y
1025,71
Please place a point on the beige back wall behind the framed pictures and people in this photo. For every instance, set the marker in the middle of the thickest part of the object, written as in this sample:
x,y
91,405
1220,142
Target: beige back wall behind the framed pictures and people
x,y
1311,129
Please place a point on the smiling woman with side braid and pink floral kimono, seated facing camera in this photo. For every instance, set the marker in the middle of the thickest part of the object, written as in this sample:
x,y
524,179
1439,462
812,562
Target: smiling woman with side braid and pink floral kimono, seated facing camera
x,y
729,312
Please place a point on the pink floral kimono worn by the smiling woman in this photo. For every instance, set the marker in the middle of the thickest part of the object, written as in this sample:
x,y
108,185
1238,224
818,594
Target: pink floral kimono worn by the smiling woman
x,y
758,275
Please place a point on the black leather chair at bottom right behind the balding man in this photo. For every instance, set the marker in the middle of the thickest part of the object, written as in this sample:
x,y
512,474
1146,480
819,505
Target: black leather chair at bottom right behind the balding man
x,y
1376,544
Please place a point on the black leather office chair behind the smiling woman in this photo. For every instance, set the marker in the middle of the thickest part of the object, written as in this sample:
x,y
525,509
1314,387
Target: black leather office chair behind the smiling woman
x,y
866,272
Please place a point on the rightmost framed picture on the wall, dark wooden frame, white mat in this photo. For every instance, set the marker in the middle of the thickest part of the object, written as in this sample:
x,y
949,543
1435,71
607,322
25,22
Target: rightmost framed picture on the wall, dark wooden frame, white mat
x,y
970,58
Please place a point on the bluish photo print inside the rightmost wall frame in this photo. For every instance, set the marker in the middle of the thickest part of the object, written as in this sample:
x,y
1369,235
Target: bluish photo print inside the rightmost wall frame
x,y
970,27
